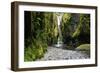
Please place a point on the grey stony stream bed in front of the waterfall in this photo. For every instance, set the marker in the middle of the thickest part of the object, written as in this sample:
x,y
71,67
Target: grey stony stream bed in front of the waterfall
x,y
62,54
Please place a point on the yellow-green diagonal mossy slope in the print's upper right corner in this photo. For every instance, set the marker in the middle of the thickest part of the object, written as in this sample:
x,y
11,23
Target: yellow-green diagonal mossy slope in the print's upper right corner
x,y
83,26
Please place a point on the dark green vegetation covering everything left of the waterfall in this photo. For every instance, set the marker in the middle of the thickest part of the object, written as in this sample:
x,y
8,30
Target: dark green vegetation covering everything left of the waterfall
x,y
40,31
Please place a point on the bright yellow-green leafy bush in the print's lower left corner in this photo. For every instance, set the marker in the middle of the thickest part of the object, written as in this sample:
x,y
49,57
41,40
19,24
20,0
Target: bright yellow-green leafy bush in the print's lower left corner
x,y
35,51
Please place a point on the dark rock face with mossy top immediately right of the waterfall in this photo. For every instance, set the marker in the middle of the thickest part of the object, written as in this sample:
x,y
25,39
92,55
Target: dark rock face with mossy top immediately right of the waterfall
x,y
69,27
